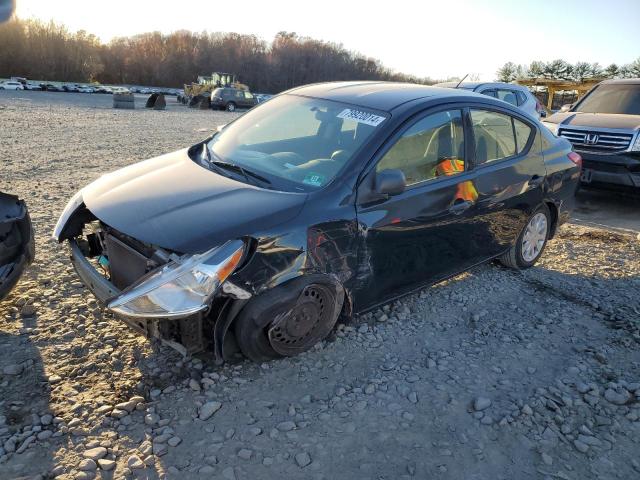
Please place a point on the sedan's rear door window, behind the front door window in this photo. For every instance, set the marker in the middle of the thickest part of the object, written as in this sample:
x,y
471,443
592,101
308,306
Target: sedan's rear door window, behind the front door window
x,y
494,137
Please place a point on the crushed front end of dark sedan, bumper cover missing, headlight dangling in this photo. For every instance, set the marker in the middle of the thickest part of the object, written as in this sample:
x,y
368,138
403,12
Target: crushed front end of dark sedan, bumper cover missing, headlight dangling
x,y
157,292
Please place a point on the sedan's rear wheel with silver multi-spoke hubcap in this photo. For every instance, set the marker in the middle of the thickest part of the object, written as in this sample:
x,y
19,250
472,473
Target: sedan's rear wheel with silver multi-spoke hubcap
x,y
531,241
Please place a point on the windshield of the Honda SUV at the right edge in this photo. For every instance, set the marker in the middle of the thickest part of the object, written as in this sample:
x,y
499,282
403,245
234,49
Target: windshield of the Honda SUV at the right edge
x,y
612,98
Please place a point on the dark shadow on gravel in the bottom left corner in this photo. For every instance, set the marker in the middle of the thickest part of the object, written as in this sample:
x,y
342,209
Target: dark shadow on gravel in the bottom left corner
x,y
26,425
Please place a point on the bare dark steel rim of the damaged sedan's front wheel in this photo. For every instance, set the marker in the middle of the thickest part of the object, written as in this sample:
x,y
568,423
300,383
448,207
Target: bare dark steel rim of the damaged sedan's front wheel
x,y
303,326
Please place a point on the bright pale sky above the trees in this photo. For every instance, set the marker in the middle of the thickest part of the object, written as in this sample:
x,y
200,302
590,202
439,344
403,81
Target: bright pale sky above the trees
x,y
437,39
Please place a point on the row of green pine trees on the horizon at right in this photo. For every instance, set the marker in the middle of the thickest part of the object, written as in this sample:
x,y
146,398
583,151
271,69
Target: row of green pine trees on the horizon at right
x,y
562,70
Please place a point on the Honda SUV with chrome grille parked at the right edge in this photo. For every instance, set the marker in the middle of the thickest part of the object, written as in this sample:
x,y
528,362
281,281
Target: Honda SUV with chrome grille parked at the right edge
x,y
604,127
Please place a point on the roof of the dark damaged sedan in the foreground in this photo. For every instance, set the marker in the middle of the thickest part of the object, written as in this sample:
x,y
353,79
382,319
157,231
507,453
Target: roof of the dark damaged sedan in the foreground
x,y
375,95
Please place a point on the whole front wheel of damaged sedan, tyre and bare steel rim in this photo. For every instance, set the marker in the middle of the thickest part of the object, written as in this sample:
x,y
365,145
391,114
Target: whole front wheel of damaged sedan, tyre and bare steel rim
x,y
289,319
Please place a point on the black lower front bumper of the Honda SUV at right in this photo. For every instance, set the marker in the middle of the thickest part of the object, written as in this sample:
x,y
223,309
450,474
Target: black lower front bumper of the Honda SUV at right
x,y
622,170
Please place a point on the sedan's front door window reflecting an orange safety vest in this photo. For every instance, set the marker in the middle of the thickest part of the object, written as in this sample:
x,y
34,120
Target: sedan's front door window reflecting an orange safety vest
x,y
432,147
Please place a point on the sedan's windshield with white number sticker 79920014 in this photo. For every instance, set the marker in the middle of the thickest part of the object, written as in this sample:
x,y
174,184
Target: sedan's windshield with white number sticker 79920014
x,y
298,143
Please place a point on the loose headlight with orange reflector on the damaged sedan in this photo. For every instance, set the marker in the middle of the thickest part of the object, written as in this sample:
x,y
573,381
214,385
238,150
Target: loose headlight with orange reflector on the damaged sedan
x,y
181,287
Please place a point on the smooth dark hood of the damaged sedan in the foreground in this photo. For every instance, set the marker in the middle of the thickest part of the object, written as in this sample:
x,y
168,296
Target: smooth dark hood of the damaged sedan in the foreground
x,y
172,202
